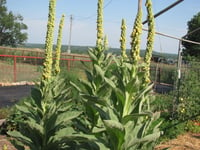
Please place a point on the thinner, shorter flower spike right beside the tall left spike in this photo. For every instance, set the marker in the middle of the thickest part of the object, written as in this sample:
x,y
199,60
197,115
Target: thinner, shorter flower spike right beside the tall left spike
x,y
58,46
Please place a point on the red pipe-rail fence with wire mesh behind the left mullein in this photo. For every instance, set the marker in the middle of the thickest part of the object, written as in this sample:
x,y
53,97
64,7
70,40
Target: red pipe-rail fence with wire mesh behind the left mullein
x,y
29,68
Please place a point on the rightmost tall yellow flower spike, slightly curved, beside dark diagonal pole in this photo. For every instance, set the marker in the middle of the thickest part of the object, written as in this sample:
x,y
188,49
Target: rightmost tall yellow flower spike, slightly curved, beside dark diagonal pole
x,y
150,41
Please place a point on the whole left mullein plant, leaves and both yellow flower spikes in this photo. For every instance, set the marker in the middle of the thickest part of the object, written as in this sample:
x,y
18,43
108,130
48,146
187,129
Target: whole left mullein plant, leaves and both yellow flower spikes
x,y
47,117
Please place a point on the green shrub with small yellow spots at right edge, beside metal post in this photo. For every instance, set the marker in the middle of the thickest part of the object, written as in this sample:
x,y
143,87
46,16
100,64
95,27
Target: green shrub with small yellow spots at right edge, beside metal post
x,y
189,99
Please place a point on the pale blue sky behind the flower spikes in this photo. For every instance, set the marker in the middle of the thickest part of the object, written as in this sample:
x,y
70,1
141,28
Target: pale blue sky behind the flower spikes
x,y
173,22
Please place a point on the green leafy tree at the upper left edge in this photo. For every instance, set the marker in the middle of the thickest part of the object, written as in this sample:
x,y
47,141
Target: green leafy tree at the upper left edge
x,y
11,27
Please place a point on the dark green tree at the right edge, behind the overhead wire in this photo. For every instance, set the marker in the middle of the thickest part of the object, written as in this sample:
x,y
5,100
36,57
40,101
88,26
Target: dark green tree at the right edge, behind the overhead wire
x,y
193,34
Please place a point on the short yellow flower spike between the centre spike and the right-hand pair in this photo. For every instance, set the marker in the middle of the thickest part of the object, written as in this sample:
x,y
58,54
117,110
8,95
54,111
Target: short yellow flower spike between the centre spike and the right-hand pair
x,y
123,40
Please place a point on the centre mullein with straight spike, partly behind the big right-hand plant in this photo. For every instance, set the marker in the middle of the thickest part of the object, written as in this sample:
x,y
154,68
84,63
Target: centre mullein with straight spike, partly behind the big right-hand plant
x,y
97,79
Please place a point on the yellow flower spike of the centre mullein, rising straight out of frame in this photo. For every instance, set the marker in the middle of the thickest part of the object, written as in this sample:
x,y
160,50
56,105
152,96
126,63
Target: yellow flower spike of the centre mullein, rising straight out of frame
x,y
99,41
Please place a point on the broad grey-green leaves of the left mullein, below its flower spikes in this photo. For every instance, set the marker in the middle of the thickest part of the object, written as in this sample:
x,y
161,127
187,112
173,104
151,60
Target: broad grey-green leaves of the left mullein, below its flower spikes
x,y
46,119
